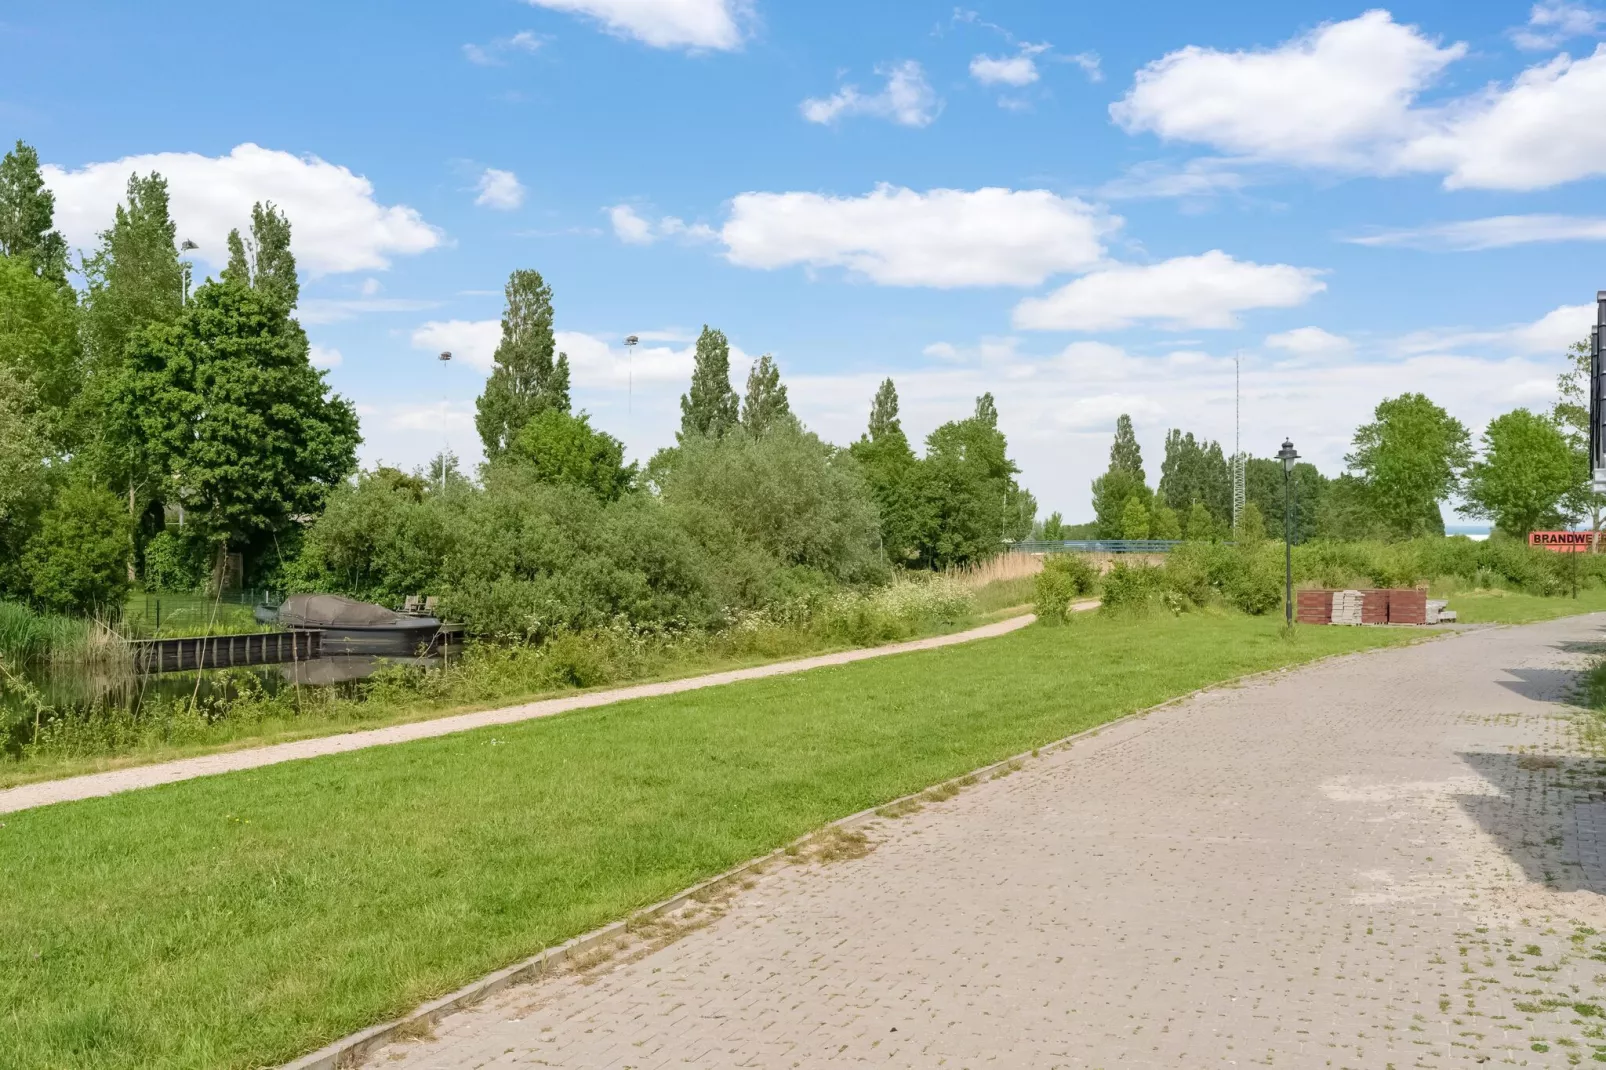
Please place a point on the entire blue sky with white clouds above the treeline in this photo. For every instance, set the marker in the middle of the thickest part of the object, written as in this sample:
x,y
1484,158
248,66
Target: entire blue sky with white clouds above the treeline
x,y
1085,210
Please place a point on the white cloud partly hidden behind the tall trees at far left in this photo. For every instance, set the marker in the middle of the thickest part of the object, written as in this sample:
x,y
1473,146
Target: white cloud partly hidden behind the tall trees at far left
x,y
336,224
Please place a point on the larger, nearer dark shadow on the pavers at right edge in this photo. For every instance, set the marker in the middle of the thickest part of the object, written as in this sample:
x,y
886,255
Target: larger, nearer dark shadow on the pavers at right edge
x,y
1549,817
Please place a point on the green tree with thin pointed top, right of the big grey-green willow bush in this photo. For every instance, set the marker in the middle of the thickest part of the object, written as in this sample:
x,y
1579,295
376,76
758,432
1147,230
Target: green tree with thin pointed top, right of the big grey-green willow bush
x,y
969,499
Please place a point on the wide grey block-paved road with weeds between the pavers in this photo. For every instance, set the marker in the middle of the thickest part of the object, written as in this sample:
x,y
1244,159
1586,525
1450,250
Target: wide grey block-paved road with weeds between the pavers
x,y
1387,860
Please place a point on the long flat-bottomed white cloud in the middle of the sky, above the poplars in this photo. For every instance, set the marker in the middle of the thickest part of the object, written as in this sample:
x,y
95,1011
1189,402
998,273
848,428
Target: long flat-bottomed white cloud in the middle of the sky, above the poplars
x,y
944,239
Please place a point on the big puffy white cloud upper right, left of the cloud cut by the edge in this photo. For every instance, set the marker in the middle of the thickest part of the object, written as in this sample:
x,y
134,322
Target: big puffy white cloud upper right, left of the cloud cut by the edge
x,y
1329,97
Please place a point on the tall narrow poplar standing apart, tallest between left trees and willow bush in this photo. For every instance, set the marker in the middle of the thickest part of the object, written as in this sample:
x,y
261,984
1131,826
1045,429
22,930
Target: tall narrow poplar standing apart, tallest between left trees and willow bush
x,y
526,382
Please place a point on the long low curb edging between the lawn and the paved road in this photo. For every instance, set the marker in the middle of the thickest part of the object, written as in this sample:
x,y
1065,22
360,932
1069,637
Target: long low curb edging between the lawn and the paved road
x,y
351,1052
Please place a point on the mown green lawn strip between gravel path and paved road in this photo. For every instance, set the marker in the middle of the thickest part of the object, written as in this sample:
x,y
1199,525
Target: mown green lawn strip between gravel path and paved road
x,y
243,920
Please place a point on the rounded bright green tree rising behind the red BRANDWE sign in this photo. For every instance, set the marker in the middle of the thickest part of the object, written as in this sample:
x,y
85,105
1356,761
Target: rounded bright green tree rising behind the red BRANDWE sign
x,y
1525,475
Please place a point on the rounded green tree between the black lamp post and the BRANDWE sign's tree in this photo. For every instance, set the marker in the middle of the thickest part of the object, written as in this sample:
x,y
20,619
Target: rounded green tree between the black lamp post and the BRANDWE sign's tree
x,y
1411,460
